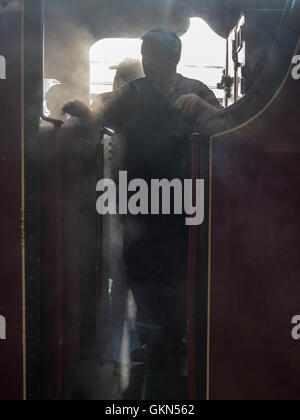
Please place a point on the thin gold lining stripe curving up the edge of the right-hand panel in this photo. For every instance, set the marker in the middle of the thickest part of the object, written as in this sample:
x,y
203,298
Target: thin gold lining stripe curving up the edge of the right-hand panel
x,y
210,205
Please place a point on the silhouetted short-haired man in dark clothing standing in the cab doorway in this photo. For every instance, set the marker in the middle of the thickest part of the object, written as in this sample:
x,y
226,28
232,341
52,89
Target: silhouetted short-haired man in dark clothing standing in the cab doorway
x,y
156,115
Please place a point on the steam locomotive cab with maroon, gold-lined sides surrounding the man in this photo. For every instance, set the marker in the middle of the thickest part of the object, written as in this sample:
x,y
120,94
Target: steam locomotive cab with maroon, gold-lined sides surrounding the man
x,y
80,324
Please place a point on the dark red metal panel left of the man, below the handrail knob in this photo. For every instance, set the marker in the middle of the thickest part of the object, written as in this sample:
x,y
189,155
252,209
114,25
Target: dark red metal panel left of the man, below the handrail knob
x,y
60,176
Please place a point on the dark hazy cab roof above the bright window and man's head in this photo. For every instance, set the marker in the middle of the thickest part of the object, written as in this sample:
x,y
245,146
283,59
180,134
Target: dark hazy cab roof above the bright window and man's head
x,y
119,18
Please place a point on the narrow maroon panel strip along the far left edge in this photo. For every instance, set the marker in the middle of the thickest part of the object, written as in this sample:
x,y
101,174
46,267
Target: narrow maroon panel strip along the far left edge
x,y
11,348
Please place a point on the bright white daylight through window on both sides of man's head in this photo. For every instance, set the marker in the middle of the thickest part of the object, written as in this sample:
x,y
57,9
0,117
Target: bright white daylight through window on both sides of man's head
x,y
203,57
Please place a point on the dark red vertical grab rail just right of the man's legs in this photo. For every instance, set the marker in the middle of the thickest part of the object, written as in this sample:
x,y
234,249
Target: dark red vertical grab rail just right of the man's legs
x,y
196,277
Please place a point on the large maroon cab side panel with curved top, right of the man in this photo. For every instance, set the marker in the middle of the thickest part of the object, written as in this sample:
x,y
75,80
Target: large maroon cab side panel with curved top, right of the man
x,y
255,245
